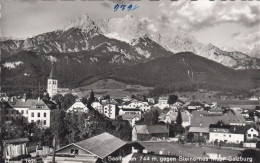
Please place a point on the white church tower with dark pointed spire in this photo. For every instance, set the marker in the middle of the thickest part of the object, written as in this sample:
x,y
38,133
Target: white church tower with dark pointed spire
x,y
52,85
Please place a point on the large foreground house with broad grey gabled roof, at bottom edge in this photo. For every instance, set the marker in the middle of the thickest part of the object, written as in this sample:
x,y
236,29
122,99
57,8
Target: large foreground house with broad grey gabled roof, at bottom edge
x,y
96,149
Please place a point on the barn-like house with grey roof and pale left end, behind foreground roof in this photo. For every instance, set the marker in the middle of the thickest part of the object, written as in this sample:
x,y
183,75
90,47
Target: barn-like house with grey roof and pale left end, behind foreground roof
x,y
147,132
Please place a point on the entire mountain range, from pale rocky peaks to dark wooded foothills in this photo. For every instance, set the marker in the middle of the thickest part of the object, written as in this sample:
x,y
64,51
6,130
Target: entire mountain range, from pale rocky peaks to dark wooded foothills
x,y
117,47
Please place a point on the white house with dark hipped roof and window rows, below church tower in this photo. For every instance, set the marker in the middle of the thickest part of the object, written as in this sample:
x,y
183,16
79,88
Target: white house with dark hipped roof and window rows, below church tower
x,y
42,113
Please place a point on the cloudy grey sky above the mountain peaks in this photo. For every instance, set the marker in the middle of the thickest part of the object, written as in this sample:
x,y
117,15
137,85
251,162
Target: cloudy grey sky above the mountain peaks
x,y
222,23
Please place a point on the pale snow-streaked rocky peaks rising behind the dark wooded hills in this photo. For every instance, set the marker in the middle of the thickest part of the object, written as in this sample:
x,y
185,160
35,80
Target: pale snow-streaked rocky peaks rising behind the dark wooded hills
x,y
130,38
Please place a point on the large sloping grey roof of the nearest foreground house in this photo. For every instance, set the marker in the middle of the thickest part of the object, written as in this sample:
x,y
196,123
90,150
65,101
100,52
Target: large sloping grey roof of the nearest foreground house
x,y
102,145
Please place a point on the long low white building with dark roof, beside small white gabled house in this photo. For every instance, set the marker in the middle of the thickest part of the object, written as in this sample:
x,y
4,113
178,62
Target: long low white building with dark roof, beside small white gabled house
x,y
226,133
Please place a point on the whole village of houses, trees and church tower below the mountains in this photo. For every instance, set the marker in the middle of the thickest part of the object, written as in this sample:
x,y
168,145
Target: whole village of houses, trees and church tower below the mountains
x,y
152,129
